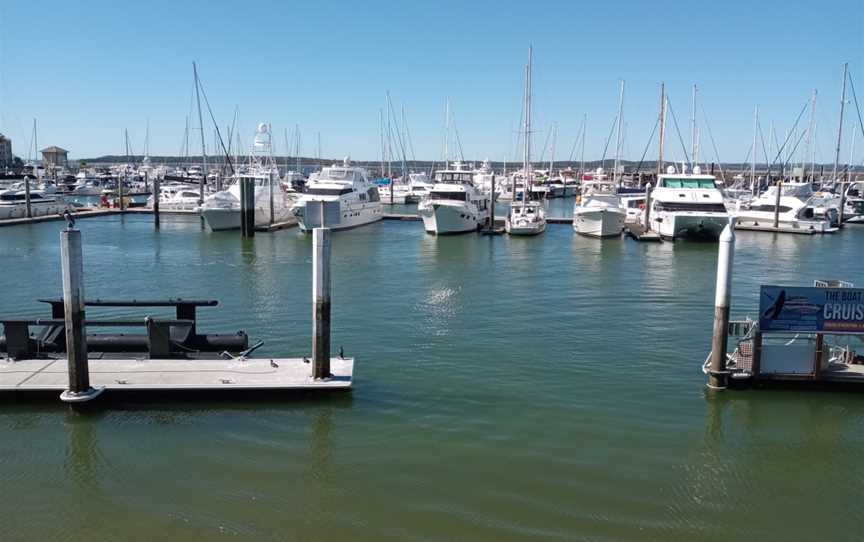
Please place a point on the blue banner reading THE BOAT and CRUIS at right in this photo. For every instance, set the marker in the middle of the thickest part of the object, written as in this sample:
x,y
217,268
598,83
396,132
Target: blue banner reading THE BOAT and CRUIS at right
x,y
828,310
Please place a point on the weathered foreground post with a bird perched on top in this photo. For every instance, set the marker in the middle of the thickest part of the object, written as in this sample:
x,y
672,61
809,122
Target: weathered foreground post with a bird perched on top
x,y
73,311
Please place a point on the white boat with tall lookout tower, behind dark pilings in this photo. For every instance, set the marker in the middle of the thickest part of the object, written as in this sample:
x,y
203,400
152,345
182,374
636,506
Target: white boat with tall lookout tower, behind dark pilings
x,y
221,210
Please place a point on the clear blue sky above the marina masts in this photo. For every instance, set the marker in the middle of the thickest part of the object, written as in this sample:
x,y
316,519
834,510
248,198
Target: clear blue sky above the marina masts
x,y
89,70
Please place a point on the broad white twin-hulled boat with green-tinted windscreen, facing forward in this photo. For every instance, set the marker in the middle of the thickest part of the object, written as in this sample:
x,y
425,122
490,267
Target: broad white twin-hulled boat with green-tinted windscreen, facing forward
x,y
687,206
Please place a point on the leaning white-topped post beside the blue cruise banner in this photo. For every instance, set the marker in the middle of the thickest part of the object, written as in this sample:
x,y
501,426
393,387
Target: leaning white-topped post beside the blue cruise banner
x,y
718,372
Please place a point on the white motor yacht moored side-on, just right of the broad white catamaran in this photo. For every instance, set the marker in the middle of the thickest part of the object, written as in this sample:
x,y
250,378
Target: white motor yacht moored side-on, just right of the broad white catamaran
x,y
797,211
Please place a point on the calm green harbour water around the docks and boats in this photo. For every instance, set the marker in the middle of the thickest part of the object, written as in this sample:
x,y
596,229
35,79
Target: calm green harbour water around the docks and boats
x,y
544,388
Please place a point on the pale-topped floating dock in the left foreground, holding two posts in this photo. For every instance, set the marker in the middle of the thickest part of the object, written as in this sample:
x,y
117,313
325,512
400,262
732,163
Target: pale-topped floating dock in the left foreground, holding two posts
x,y
172,375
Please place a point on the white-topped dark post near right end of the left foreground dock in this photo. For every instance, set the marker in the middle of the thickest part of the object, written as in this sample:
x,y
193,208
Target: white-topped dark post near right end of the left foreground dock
x,y
321,303
